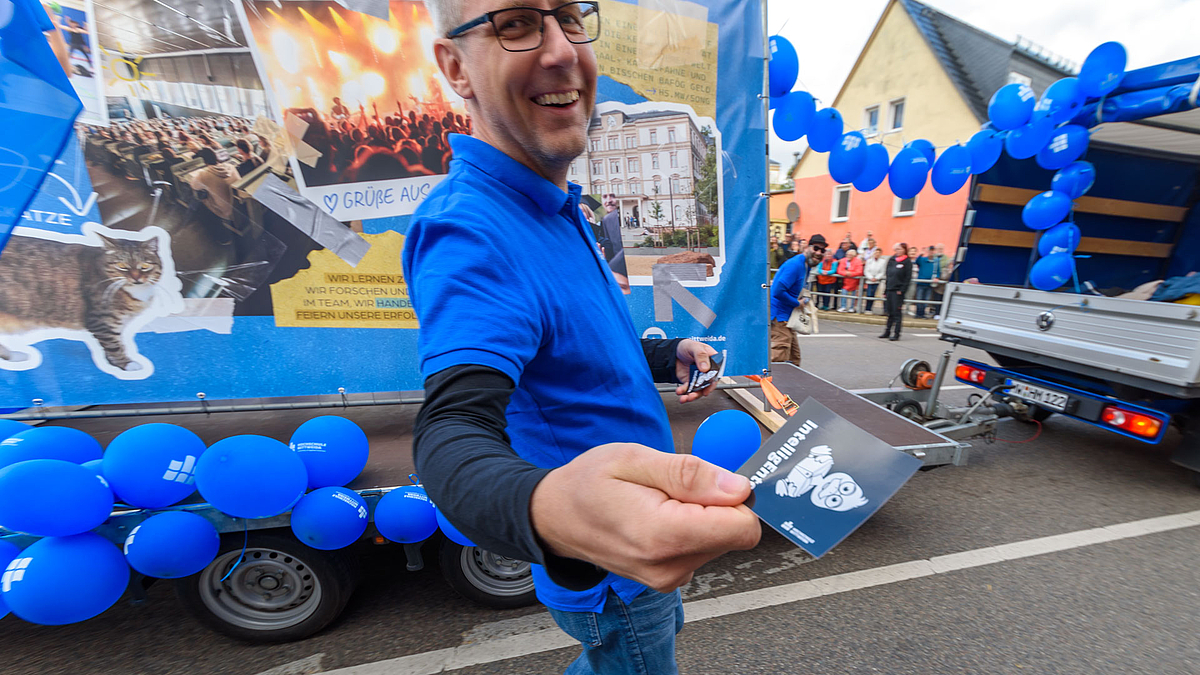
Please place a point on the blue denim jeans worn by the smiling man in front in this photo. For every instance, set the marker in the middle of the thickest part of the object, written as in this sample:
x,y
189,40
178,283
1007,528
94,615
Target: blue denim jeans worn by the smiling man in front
x,y
626,640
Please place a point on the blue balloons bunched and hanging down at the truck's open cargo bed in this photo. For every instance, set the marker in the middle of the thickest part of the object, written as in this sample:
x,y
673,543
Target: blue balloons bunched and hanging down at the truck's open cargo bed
x,y
1045,132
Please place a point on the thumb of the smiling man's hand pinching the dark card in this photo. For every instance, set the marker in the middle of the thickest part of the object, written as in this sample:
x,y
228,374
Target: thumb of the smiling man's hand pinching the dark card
x,y
688,480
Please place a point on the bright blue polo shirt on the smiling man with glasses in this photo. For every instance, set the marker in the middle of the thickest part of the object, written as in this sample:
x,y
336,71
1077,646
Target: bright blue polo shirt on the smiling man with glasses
x,y
505,272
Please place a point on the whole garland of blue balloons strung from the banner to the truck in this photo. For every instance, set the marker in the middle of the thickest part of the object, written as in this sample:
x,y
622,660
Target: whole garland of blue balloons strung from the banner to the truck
x,y
1019,124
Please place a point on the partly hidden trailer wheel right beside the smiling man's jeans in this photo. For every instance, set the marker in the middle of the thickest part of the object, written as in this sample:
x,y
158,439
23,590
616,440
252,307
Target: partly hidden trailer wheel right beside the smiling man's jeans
x,y
487,578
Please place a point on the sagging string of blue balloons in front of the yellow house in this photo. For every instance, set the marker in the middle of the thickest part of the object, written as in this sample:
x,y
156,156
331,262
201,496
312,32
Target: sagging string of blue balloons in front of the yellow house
x,y
853,160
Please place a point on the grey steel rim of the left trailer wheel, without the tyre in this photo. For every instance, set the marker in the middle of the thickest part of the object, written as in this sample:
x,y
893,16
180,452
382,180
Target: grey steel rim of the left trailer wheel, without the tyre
x,y
271,590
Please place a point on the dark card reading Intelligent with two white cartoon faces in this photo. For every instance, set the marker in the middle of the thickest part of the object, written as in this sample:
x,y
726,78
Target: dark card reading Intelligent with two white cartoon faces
x,y
820,477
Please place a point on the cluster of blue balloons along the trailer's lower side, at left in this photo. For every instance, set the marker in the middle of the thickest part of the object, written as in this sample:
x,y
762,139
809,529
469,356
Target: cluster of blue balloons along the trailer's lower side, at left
x,y
59,485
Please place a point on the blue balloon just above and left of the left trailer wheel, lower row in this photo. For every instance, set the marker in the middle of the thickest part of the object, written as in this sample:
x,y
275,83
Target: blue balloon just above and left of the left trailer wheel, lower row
x,y
172,545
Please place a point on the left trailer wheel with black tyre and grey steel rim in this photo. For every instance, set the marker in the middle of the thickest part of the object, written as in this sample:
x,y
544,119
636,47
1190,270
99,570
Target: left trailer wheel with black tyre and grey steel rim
x,y
281,592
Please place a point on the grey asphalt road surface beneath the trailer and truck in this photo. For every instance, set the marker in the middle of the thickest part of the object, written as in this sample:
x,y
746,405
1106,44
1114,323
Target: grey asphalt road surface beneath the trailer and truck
x,y
1125,606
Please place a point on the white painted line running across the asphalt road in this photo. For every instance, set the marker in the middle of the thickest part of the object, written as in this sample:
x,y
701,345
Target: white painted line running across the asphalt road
x,y
549,640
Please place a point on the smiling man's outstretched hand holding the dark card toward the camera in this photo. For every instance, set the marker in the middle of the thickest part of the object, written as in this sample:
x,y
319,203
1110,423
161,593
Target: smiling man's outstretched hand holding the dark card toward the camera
x,y
644,515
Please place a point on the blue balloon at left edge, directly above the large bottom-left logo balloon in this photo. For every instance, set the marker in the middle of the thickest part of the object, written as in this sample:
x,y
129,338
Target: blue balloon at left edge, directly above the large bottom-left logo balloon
x,y
52,498
